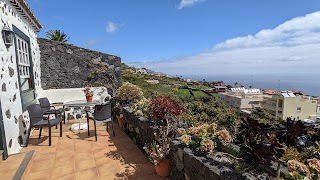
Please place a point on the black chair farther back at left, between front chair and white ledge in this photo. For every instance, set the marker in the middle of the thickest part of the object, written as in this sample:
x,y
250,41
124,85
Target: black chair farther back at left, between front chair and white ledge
x,y
49,108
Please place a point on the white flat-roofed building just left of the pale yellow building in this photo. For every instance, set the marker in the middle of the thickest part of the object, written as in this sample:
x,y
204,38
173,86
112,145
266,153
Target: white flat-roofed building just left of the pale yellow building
x,y
242,98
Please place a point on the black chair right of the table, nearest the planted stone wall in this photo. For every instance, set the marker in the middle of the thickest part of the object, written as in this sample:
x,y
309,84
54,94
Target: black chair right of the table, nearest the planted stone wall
x,y
102,113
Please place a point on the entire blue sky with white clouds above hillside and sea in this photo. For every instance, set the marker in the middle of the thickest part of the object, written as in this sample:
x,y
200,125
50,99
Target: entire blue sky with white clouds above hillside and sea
x,y
193,37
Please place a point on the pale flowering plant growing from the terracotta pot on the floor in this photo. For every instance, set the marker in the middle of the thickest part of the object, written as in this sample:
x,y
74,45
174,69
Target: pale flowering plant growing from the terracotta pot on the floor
x,y
159,148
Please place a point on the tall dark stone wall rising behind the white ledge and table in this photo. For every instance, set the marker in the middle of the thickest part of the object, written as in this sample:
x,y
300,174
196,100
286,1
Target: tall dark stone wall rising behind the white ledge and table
x,y
67,66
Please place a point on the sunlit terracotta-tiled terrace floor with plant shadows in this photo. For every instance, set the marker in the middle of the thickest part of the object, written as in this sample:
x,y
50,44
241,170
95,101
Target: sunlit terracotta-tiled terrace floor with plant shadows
x,y
77,156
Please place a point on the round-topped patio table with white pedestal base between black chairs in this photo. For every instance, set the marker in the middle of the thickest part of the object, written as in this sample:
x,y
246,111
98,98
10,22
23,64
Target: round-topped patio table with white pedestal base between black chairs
x,y
83,105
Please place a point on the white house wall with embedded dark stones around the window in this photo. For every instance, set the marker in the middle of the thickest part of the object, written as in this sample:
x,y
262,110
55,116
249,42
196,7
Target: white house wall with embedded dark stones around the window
x,y
16,122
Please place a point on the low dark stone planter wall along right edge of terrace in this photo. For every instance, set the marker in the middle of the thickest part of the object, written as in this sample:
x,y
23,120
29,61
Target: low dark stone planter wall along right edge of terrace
x,y
184,163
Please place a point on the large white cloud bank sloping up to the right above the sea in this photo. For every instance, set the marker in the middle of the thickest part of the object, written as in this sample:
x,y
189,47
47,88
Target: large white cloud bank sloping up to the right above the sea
x,y
292,47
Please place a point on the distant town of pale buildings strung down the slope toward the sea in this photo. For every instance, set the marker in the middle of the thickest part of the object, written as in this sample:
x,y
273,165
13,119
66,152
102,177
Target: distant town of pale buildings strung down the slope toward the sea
x,y
280,104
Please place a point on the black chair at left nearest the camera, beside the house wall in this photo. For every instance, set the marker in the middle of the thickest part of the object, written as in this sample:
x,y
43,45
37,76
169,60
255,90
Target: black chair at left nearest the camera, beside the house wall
x,y
38,120
